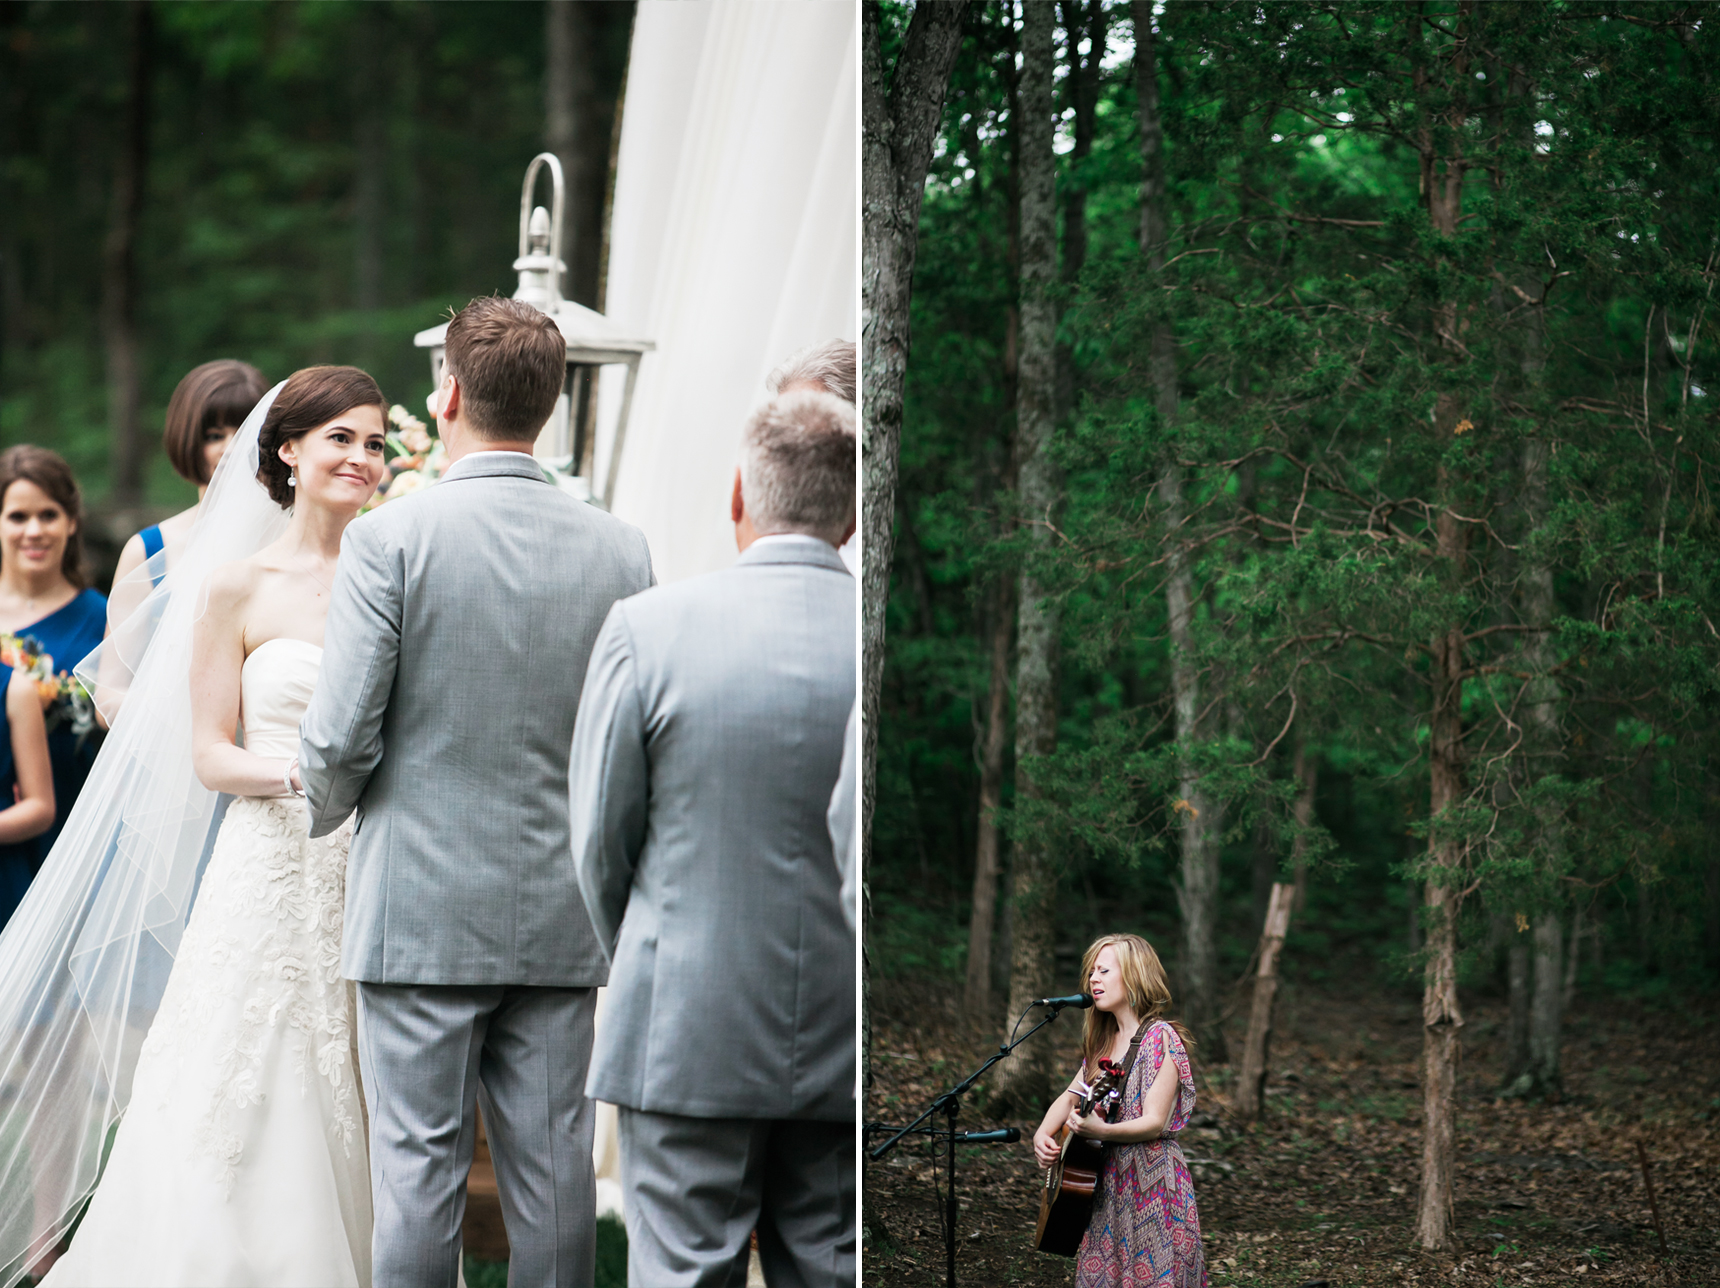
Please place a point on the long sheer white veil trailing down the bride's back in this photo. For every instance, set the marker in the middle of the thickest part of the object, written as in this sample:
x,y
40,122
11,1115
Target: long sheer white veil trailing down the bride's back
x,y
85,959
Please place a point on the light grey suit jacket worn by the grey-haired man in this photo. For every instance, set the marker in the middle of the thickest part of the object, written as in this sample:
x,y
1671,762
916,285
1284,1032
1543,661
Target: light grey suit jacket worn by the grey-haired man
x,y
704,761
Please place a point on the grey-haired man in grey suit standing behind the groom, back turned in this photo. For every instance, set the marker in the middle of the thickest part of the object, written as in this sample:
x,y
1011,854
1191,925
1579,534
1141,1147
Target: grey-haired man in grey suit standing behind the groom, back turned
x,y
708,747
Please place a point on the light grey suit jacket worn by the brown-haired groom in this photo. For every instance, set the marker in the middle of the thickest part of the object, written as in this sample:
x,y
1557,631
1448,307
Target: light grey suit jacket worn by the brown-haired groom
x,y
458,635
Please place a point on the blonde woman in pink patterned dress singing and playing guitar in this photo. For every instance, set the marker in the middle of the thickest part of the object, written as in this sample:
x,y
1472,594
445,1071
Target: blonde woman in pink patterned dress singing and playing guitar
x,y
1145,1224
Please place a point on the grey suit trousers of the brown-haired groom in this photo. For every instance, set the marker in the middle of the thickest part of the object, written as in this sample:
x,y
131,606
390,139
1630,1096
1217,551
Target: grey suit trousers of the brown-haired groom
x,y
427,1053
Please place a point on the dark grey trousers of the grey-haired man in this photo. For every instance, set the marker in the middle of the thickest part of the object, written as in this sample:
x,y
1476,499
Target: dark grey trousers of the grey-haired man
x,y
697,1187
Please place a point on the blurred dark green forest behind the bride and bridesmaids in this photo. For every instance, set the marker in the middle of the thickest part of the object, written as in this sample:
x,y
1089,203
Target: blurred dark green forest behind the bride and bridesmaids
x,y
285,183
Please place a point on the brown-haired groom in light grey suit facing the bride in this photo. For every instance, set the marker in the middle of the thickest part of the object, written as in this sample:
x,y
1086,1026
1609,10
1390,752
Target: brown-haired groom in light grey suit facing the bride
x,y
460,627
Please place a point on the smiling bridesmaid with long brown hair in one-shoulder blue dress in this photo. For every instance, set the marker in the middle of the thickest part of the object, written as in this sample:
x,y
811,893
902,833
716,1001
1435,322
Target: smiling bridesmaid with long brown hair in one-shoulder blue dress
x,y
44,598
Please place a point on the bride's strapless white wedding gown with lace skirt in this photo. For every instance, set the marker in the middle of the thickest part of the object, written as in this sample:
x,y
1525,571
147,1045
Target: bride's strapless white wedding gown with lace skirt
x,y
243,1156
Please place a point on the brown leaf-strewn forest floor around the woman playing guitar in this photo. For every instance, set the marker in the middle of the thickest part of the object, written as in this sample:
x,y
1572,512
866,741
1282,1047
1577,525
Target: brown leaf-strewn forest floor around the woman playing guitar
x,y
1324,1189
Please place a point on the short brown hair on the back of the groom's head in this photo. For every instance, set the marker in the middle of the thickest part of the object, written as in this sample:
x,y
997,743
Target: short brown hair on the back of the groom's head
x,y
510,362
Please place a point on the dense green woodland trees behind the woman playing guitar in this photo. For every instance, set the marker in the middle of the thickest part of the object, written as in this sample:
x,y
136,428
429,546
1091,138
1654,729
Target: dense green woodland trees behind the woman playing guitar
x,y
1384,555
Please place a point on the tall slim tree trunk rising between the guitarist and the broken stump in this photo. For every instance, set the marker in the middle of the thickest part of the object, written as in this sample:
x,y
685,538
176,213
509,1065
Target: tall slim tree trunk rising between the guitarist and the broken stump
x,y
1200,818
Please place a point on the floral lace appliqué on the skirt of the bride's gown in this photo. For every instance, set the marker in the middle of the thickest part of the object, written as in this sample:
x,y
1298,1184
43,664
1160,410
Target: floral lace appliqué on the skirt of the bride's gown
x,y
266,938
